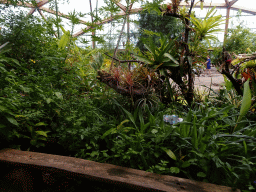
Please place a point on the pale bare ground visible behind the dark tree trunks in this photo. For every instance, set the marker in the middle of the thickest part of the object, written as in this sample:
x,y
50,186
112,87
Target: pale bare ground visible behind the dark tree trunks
x,y
215,81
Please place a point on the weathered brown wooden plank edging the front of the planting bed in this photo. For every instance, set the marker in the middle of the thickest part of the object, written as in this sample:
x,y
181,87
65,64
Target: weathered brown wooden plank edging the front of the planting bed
x,y
111,173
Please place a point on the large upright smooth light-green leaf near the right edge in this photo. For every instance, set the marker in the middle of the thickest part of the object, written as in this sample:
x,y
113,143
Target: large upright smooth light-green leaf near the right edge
x,y
246,101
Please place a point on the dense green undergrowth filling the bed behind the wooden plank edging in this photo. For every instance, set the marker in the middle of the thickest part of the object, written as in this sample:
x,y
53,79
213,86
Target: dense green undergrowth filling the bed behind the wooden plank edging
x,y
50,101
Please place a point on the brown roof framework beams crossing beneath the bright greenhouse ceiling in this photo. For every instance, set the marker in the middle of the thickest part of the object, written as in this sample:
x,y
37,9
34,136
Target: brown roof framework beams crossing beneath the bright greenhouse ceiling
x,y
228,5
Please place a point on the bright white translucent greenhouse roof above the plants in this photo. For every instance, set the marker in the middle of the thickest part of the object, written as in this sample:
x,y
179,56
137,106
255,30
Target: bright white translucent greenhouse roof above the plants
x,y
46,8
